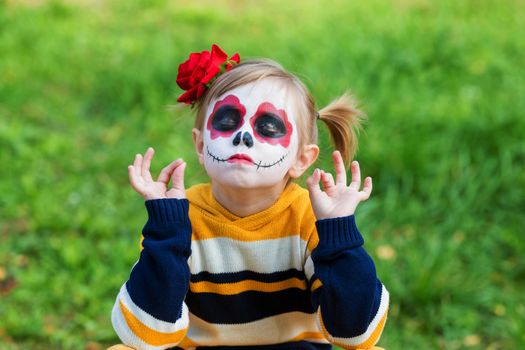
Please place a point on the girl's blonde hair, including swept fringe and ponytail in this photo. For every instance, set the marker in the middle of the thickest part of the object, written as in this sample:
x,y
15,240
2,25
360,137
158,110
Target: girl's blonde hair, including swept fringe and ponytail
x,y
340,116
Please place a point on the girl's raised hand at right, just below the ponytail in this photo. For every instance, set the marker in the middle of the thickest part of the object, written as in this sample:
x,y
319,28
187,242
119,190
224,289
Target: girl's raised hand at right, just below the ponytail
x,y
336,199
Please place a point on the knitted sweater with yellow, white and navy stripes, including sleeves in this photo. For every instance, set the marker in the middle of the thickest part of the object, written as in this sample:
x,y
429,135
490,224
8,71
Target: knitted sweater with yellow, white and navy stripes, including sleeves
x,y
207,278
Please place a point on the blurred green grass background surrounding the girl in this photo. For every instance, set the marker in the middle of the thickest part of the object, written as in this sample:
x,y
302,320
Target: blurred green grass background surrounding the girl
x,y
84,85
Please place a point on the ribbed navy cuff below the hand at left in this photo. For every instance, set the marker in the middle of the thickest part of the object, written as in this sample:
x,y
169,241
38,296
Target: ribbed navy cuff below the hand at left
x,y
167,211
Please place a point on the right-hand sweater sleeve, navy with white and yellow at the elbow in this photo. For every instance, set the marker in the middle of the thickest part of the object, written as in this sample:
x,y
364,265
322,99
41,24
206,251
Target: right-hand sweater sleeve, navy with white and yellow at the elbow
x,y
352,301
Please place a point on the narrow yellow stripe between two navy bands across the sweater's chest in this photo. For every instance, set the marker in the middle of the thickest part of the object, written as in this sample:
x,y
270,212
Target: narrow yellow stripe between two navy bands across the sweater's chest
x,y
244,286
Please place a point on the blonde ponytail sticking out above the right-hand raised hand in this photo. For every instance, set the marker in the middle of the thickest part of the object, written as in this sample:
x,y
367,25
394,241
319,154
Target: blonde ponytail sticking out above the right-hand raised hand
x,y
343,120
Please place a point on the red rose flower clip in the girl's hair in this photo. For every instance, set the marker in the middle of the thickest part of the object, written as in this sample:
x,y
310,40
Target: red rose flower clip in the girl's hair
x,y
198,72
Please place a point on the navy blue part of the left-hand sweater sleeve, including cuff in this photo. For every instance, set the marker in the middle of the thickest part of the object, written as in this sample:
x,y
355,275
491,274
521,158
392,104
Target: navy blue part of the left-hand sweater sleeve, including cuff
x,y
159,280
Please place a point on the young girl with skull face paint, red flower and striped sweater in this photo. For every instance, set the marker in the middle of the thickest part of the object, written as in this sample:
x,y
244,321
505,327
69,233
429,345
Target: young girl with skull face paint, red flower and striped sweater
x,y
252,260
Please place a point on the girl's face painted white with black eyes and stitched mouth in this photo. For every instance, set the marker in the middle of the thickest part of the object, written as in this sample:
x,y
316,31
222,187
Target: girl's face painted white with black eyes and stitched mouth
x,y
250,135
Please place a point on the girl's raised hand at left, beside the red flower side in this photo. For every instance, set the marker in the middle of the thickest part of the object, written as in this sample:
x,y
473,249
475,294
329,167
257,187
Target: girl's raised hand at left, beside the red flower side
x,y
141,180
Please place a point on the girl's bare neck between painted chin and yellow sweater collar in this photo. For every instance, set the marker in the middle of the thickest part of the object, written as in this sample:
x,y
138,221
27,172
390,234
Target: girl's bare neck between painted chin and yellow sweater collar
x,y
247,201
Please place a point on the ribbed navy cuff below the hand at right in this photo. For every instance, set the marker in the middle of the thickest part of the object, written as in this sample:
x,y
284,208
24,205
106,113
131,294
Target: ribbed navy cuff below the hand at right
x,y
339,232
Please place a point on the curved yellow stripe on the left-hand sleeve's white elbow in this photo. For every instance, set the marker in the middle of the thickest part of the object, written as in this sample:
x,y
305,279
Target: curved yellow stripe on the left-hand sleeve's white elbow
x,y
148,335
